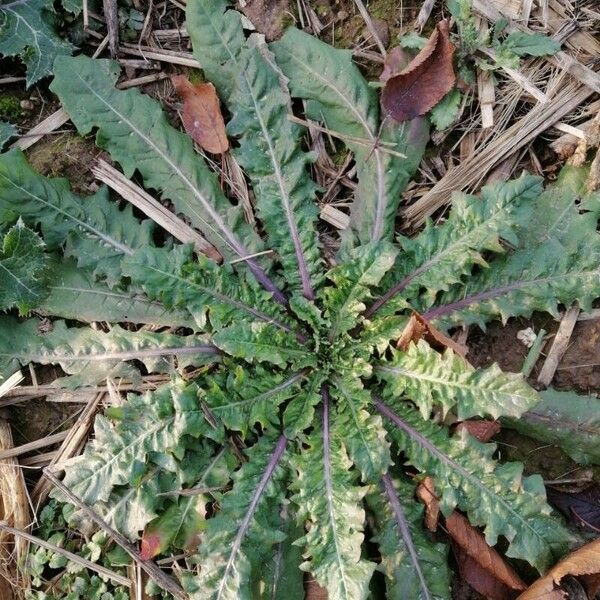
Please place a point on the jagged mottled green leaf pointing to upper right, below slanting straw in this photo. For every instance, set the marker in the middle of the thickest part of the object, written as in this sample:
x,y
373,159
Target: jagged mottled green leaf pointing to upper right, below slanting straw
x,y
439,257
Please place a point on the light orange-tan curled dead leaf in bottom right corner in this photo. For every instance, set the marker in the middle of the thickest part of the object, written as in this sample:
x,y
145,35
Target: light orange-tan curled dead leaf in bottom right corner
x,y
585,561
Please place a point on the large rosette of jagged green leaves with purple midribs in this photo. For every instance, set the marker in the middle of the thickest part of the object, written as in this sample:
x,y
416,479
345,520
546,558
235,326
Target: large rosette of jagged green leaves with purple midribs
x,y
305,422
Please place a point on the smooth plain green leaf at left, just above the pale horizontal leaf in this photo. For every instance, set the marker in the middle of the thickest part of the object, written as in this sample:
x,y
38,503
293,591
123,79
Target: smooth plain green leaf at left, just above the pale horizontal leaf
x,y
75,295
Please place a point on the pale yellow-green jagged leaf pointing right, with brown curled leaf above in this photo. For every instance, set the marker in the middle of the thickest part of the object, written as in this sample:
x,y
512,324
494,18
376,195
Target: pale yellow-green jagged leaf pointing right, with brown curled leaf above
x,y
447,380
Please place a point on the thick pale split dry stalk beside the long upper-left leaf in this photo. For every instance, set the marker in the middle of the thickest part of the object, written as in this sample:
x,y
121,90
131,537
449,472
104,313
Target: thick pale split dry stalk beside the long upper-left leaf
x,y
152,208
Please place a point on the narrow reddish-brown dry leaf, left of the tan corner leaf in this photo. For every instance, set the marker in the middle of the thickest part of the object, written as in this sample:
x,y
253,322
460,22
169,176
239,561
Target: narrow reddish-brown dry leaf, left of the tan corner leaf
x,y
472,542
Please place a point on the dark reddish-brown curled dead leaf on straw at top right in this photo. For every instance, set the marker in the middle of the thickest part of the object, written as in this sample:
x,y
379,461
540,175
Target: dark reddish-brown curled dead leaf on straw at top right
x,y
425,81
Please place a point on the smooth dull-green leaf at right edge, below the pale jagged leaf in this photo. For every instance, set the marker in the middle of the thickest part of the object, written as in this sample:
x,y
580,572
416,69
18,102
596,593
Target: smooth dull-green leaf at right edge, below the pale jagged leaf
x,y
565,419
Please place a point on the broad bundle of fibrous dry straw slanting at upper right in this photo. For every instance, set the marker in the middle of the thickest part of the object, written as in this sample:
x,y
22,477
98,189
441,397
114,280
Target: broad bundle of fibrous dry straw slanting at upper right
x,y
470,172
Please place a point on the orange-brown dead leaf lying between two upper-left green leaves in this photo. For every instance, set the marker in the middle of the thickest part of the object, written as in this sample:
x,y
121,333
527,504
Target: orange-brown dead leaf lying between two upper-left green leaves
x,y
201,116
